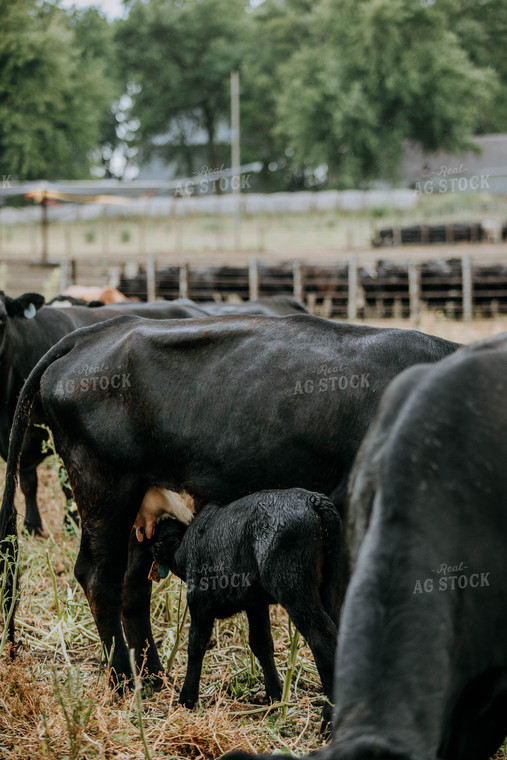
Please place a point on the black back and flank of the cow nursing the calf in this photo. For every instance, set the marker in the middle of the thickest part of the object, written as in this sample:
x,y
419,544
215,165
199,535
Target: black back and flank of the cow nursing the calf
x,y
225,406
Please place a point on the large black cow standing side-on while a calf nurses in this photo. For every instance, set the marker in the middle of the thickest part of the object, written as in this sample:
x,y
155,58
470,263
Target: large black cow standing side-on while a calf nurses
x,y
188,412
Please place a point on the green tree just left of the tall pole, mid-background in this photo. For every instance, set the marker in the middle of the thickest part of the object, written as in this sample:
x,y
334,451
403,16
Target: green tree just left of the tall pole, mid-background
x,y
177,57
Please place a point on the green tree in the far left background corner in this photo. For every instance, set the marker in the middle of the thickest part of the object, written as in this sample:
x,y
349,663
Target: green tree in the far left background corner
x,y
53,95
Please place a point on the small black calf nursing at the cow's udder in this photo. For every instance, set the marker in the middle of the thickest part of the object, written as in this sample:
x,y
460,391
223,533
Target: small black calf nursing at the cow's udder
x,y
266,548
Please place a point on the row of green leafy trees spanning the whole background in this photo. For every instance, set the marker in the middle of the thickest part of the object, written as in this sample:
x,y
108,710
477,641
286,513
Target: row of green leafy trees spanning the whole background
x,y
330,86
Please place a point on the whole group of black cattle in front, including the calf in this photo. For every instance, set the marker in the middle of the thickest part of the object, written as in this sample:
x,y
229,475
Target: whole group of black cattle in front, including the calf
x,y
355,475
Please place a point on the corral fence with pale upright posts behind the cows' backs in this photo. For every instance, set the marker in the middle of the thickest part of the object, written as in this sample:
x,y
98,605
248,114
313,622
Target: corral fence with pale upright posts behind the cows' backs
x,y
456,287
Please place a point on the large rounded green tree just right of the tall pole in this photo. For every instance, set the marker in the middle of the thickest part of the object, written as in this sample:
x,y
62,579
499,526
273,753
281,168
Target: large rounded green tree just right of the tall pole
x,y
387,70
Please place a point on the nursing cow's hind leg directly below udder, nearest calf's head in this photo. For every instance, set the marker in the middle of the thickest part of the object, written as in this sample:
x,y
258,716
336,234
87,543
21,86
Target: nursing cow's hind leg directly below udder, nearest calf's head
x,y
135,607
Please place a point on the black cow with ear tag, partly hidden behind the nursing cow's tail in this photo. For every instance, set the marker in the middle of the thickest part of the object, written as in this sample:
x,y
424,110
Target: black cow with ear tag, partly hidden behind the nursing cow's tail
x,y
27,330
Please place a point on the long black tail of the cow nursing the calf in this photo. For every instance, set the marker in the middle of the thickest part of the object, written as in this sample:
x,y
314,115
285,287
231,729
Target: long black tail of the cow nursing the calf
x,y
8,526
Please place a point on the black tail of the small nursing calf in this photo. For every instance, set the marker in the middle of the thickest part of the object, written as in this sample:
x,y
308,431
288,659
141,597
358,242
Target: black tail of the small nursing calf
x,y
331,525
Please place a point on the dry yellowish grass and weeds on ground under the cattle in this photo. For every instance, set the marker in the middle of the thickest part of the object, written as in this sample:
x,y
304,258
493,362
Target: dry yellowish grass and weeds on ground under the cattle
x,y
54,700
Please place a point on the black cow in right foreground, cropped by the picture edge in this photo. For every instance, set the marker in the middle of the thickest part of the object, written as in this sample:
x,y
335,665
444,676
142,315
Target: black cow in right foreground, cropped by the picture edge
x,y
422,658
